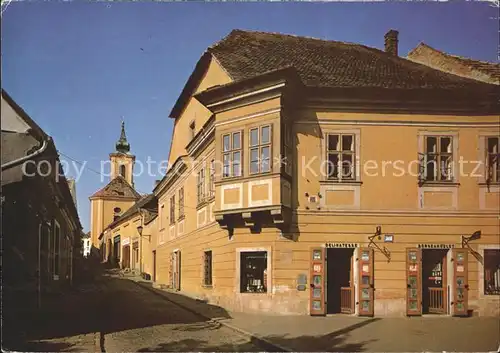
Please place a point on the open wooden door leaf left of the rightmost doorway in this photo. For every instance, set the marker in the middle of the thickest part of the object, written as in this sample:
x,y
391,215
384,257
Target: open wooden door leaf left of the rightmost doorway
x,y
413,281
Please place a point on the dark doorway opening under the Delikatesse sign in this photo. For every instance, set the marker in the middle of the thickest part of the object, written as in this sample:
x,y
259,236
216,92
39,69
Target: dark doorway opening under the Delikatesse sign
x,y
340,281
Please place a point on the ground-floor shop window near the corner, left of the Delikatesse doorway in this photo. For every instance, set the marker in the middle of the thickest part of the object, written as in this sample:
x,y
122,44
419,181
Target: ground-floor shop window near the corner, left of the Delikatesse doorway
x,y
253,272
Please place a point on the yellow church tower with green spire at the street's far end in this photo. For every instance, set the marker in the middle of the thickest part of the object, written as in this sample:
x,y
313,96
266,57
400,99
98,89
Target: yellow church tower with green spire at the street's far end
x,y
118,195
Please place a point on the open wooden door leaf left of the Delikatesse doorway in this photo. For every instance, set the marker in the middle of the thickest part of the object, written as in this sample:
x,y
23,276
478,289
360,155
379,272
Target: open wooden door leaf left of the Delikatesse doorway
x,y
317,286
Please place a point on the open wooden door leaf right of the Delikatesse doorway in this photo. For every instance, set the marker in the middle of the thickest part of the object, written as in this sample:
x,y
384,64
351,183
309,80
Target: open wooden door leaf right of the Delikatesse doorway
x,y
365,282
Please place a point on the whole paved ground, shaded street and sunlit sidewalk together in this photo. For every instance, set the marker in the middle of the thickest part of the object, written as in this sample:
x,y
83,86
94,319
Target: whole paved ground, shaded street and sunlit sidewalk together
x,y
117,314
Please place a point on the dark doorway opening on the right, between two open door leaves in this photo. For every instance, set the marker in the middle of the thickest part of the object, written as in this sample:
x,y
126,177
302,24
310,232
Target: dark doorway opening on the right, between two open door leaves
x,y
434,281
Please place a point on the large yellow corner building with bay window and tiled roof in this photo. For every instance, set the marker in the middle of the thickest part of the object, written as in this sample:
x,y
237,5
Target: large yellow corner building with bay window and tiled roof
x,y
315,177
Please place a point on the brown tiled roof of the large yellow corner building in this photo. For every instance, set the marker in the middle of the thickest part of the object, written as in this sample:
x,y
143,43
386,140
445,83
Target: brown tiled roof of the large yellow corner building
x,y
326,63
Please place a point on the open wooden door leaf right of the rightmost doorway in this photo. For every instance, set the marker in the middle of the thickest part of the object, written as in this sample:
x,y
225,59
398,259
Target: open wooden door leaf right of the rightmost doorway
x,y
459,304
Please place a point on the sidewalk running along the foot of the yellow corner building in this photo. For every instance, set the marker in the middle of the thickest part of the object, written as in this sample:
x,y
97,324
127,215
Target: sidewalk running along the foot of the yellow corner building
x,y
351,334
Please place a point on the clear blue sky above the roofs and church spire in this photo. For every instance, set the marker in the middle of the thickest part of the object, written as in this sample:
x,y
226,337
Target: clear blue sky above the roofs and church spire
x,y
78,68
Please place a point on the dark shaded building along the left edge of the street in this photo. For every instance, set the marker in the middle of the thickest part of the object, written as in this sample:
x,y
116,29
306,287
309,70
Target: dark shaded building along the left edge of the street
x,y
40,226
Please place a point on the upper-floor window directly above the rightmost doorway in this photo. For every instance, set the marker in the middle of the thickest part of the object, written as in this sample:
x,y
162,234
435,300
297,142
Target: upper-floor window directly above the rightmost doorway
x,y
438,159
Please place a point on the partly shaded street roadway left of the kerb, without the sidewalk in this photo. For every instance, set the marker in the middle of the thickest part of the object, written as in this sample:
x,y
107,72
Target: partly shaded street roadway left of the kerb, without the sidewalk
x,y
117,315
